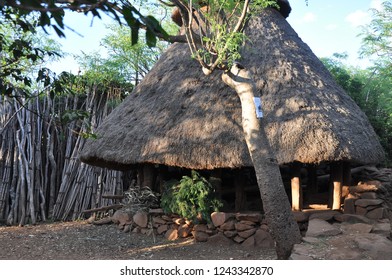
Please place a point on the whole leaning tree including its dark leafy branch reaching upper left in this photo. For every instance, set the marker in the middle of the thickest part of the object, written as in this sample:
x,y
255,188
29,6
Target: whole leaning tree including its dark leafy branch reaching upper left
x,y
213,29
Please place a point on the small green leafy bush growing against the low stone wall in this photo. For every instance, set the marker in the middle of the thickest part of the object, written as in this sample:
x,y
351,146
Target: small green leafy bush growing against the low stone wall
x,y
191,197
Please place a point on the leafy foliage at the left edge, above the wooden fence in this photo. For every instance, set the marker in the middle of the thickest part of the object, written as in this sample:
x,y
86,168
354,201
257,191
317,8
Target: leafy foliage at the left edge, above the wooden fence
x,y
23,50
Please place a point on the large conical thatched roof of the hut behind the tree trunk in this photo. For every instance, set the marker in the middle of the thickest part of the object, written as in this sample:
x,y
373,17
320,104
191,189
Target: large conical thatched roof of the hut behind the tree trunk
x,y
179,117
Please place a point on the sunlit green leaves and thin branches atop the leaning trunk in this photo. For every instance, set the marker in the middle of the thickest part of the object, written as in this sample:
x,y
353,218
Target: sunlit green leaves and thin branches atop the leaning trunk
x,y
214,31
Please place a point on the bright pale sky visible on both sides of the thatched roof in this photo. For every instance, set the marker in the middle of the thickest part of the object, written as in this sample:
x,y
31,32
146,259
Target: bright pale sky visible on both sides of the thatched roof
x,y
328,27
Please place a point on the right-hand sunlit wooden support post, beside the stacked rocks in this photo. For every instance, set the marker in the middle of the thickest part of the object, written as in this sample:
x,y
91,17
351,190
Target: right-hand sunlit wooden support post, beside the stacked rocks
x,y
336,185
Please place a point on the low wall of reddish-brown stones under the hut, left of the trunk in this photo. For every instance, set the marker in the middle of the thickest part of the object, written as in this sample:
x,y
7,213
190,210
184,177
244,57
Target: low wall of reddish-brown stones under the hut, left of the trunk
x,y
246,229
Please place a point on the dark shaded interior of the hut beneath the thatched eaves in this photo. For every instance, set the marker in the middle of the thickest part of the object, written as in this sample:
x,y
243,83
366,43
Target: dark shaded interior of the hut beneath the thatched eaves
x,y
238,190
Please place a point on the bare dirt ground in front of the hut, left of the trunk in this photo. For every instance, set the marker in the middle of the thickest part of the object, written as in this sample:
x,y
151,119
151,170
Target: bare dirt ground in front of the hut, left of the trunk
x,y
83,241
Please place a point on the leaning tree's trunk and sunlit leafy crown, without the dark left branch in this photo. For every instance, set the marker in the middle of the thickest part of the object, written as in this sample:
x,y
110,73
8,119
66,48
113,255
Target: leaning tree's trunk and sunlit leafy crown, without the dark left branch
x,y
214,33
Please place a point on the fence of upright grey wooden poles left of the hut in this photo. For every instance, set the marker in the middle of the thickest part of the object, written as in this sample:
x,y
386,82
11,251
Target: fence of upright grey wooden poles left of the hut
x,y
41,176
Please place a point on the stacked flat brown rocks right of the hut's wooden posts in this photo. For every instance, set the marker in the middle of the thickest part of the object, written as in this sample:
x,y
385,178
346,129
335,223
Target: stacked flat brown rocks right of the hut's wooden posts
x,y
366,200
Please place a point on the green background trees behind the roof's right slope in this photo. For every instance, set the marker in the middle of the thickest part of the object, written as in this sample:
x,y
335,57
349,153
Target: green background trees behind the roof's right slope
x,y
371,88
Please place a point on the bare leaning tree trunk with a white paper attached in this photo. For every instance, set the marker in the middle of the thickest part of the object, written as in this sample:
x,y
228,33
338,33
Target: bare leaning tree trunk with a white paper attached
x,y
276,205
